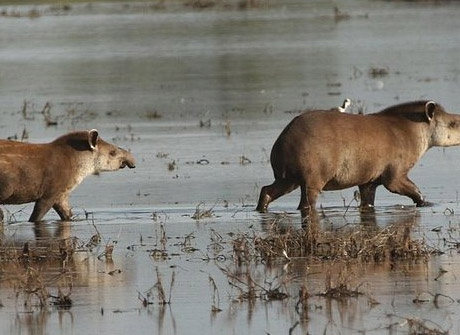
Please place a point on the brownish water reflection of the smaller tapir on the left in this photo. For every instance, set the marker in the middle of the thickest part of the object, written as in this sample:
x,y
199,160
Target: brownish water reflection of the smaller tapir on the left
x,y
42,265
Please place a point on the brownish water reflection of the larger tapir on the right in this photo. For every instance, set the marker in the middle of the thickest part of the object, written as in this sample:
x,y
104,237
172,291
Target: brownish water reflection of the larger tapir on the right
x,y
365,285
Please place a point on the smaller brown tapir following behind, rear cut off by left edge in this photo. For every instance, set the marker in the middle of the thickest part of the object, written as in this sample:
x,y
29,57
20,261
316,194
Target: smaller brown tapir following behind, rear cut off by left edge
x,y
47,173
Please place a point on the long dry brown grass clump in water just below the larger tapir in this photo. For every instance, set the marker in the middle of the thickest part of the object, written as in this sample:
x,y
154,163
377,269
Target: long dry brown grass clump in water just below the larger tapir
x,y
359,243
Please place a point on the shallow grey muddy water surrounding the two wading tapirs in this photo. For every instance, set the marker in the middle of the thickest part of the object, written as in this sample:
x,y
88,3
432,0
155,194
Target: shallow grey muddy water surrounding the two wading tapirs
x,y
147,77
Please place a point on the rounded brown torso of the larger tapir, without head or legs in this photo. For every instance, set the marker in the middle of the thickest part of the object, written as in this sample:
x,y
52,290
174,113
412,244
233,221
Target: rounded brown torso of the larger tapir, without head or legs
x,y
334,142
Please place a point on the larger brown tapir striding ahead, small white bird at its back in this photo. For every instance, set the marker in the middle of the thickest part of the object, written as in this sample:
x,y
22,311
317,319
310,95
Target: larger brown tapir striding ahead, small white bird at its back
x,y
328,150
